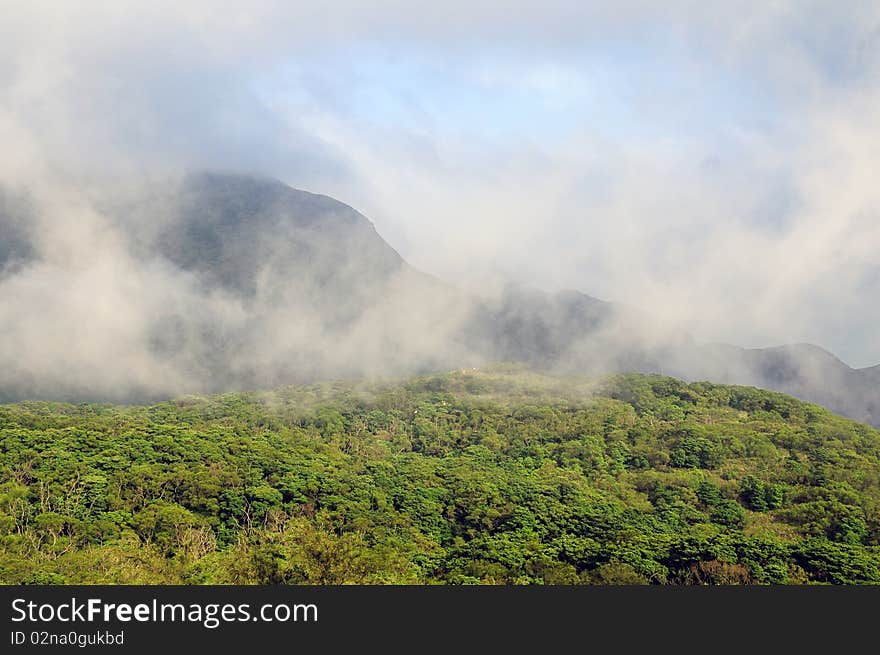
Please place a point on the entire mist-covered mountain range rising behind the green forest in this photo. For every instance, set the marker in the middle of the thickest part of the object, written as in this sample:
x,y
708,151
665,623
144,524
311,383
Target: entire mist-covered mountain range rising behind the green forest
x,y
247,283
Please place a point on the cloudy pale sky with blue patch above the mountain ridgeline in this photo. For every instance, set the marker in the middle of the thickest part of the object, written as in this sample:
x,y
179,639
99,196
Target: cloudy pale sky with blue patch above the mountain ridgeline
x,y
711,162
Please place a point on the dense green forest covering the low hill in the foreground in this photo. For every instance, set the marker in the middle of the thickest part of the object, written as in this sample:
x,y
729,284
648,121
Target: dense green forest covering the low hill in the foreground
x,y
495,476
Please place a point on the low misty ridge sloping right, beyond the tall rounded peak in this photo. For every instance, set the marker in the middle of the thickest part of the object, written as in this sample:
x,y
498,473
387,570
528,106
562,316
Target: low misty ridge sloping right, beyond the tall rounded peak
x,y
577,334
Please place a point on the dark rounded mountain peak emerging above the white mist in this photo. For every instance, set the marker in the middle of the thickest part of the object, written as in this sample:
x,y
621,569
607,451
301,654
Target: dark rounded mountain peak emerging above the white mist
x,y
237,231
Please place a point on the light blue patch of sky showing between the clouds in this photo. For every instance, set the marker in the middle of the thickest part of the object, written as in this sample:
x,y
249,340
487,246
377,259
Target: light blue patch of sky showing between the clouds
x,y
622,90
